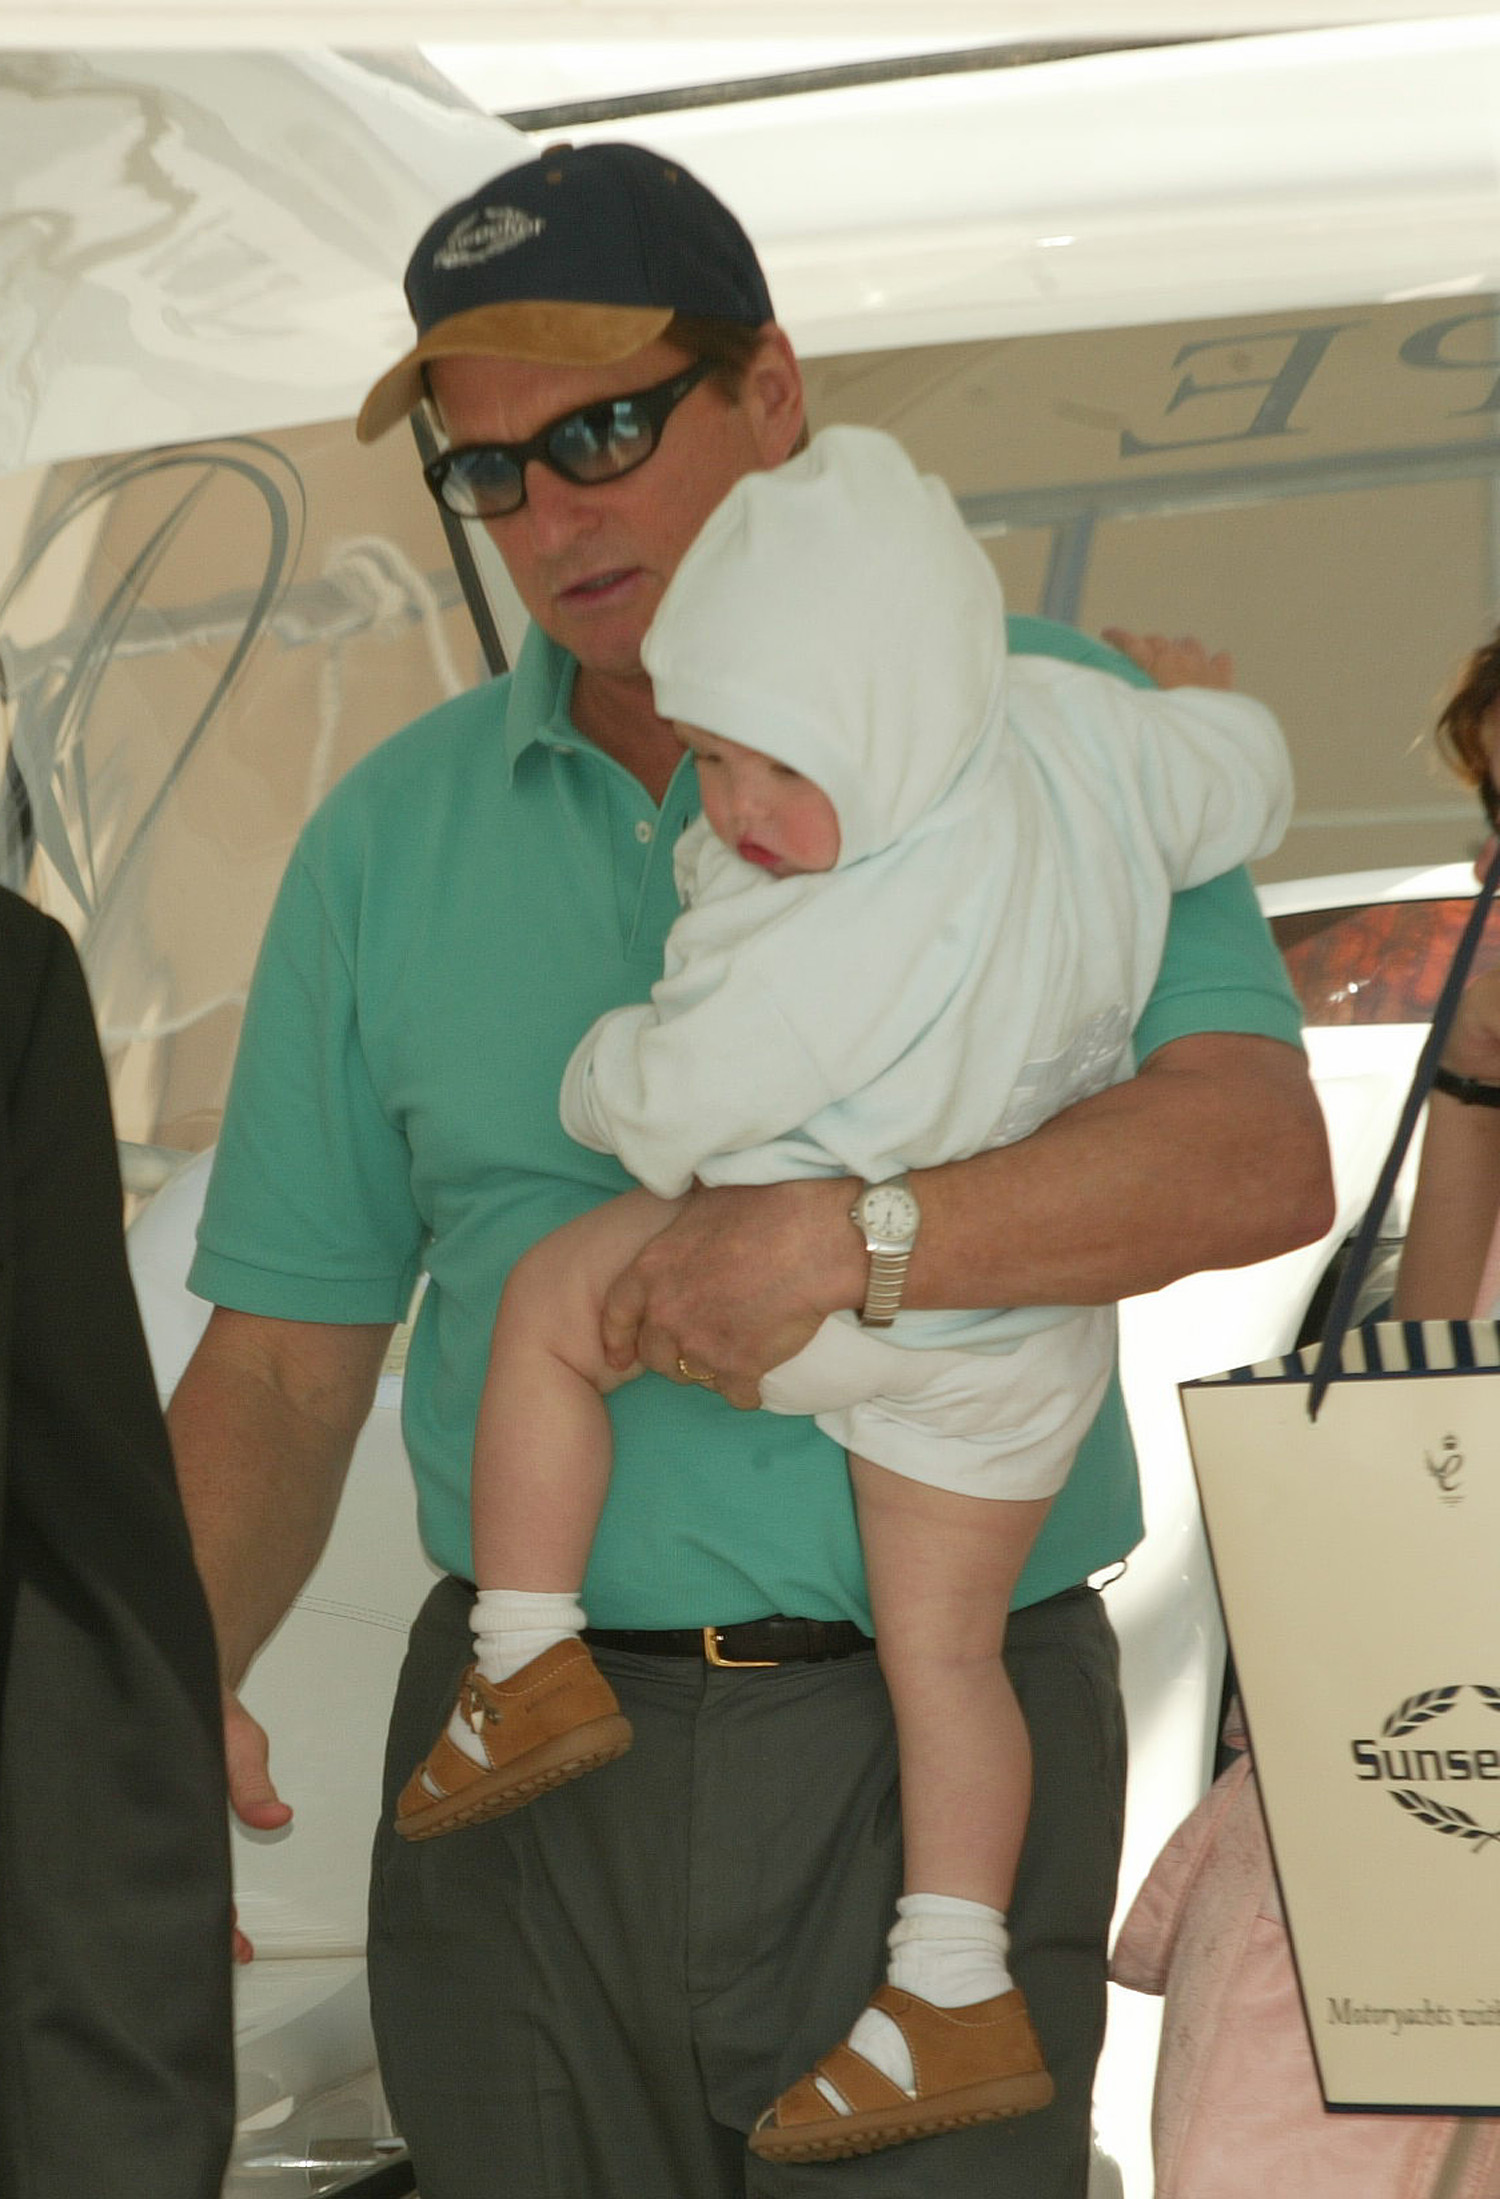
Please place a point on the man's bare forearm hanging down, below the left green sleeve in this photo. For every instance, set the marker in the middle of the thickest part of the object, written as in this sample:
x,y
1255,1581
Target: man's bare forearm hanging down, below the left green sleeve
x,y
263,1430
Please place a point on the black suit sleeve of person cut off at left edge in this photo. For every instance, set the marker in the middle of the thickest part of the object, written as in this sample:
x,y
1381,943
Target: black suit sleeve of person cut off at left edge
x,y
115,2029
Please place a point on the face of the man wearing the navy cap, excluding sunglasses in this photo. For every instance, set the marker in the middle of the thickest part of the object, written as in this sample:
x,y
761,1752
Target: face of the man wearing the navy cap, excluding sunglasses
x,y
593,564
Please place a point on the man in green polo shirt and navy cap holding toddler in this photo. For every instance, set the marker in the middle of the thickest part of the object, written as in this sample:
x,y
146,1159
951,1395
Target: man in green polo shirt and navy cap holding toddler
x,y
593,2000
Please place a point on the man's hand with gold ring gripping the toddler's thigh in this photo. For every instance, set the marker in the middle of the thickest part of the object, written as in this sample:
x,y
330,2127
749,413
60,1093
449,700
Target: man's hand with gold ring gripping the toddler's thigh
x,y
738,1283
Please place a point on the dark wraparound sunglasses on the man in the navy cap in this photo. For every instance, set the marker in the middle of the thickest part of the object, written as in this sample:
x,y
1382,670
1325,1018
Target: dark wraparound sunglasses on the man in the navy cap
x,y
599,443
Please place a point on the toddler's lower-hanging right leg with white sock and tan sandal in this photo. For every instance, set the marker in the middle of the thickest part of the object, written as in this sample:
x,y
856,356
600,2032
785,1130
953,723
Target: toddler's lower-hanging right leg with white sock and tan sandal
x,y
953,2044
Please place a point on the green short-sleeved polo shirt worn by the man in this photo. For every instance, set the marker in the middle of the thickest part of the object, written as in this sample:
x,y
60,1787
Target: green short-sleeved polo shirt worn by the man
x,y
459,911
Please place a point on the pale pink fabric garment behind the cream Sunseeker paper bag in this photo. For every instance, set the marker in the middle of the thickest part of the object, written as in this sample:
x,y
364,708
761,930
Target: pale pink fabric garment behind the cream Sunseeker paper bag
x,y
1237,2112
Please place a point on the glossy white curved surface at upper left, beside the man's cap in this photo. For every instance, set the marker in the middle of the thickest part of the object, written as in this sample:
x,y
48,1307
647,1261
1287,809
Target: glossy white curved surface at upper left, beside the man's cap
x,y
201,243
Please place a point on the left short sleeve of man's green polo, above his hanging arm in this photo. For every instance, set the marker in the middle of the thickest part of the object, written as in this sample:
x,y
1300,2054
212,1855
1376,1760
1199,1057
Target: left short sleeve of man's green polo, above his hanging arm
x,y
309,1213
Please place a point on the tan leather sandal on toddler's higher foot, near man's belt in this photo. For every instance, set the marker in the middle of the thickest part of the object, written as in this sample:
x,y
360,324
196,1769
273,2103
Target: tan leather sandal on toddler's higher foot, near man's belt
x,y
553,1721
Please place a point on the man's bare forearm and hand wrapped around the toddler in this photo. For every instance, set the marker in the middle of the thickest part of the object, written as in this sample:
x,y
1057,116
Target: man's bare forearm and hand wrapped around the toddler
x,y
1215,1156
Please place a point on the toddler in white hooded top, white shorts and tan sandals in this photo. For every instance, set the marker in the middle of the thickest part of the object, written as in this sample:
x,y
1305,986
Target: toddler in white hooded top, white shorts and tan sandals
x,y
923,911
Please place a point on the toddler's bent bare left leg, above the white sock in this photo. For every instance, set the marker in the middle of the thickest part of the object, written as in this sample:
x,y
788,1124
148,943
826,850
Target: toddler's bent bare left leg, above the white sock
x,y
542,1441
